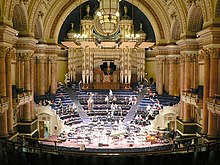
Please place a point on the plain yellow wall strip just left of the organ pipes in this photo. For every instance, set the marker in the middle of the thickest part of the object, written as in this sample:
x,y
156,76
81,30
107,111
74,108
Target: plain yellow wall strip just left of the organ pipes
x,y
62,66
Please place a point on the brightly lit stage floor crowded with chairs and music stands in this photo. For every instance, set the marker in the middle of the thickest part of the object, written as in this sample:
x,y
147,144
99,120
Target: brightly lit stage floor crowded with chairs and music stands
x,y
115,138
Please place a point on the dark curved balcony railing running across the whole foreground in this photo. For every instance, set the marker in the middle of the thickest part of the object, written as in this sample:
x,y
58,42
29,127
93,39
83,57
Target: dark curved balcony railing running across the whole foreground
x,y
41,148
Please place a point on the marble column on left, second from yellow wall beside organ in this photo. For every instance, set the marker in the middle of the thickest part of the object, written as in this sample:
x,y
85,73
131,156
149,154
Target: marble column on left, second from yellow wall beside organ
x,y
41,86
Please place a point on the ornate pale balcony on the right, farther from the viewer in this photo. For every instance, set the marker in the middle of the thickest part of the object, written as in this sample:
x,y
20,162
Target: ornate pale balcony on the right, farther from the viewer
x,y
193,99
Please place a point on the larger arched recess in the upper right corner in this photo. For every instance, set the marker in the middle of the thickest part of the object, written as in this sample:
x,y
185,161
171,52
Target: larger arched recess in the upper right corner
x,y
195,18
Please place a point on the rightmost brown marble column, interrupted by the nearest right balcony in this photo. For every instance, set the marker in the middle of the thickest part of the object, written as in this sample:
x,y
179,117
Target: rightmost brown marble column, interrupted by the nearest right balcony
x,y
212,121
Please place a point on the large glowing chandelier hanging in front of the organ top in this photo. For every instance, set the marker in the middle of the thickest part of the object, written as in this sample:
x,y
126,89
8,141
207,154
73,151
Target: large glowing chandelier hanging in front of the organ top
x,y
107,17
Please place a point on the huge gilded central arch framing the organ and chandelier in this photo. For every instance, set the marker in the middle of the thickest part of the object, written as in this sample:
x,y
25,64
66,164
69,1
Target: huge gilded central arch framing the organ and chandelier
x,y
61,13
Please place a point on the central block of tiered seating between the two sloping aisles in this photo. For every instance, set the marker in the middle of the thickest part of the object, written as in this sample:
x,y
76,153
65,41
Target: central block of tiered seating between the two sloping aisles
x,y
102,111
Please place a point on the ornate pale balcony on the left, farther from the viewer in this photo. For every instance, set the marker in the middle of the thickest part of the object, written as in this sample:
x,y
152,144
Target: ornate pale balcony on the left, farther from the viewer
x,y
22,98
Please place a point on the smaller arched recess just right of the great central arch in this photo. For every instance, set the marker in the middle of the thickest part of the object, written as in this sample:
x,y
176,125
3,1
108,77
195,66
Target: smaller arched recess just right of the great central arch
x,y
175,29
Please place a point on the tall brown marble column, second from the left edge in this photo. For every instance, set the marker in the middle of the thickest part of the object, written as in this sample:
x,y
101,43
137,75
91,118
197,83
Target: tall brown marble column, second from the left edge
x,y
9,89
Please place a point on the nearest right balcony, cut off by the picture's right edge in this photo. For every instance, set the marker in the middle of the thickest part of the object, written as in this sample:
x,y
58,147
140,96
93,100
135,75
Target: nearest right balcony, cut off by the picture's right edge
x,y
213,105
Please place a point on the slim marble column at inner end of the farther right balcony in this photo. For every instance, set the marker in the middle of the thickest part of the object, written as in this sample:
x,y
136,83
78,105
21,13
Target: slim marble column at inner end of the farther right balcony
x,y
182,82
